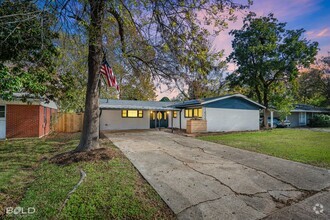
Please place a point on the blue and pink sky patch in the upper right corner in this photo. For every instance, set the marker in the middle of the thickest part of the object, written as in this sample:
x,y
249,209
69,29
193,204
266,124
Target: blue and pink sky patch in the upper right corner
x,y
312,15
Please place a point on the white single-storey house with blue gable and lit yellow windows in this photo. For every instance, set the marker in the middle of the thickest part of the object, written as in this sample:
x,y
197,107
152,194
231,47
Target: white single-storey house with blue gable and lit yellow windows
x,y
226,113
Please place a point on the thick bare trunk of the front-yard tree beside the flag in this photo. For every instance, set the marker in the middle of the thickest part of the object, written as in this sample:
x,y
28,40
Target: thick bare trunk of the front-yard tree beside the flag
x,y
90,133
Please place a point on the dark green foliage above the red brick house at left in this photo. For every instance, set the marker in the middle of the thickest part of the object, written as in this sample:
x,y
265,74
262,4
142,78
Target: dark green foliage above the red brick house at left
x,y
27,50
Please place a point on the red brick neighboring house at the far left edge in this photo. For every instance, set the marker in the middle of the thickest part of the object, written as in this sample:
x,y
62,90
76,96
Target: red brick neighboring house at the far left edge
x,y
25,119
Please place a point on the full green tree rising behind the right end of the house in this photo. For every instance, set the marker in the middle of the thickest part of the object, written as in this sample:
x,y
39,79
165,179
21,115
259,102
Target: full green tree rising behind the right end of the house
x,y
268,58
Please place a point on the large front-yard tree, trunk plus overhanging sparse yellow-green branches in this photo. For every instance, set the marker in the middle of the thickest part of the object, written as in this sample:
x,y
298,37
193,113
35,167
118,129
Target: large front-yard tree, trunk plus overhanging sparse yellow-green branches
x,y
162,38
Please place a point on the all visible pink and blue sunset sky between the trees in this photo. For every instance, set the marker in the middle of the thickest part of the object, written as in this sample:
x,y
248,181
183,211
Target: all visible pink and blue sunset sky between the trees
x,y
312,15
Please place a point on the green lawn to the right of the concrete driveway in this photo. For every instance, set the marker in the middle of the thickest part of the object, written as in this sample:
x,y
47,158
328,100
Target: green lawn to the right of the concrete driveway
x,y
300,145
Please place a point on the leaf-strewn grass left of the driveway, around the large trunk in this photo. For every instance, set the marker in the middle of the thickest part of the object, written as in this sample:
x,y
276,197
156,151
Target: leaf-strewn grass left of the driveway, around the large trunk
x,y
113,189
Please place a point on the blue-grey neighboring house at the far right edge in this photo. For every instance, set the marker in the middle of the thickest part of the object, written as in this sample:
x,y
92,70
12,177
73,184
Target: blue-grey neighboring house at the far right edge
x,y
301,114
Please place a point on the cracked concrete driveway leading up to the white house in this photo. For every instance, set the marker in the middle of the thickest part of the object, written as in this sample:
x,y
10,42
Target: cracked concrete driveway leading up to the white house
x,y
203,180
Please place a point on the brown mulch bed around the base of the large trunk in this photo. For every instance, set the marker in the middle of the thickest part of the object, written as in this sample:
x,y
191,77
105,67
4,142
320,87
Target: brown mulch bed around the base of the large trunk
x,y
86,156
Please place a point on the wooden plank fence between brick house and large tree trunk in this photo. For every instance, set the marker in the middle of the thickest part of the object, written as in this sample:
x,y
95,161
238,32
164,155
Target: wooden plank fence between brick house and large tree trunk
x,y
69,122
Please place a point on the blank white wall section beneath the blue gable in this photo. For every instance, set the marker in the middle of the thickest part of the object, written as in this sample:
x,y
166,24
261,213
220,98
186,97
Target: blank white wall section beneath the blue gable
x,y
232,119
